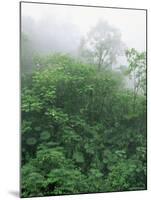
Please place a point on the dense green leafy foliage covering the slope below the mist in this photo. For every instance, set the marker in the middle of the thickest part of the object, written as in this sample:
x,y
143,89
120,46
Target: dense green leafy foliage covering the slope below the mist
x,y
80,133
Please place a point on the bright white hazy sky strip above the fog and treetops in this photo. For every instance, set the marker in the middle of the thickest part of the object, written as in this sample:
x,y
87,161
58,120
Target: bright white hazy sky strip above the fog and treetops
x,y
131,23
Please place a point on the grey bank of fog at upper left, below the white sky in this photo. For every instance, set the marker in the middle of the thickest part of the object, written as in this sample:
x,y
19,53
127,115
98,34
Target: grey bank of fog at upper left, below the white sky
x,y
50,35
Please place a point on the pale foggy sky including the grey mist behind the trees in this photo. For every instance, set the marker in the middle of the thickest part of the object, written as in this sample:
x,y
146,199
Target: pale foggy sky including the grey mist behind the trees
x,y
56,28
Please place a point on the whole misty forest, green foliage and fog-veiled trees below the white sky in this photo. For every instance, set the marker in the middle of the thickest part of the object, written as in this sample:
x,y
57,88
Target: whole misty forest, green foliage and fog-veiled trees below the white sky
x,y
83,114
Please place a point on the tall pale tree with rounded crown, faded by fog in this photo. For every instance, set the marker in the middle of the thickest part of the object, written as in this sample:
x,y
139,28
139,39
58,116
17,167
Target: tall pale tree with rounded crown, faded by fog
x,y
102,45
